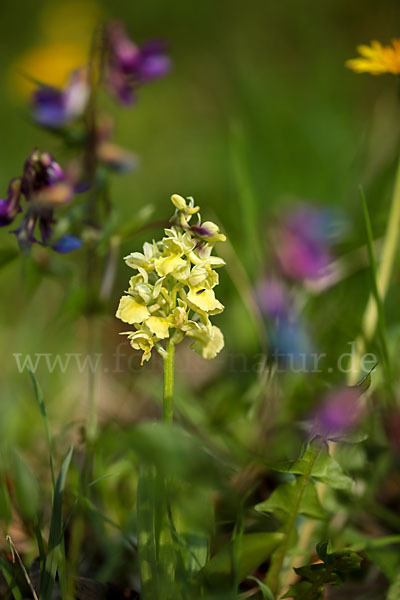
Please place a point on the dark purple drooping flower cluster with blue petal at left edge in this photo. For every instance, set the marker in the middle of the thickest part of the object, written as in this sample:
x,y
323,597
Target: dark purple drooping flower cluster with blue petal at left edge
x,y
44,186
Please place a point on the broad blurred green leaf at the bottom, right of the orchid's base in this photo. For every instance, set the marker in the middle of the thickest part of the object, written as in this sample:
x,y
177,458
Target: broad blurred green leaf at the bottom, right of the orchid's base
x,y
255,549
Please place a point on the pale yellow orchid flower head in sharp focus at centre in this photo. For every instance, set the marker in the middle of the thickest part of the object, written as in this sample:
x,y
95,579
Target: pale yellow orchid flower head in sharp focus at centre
x,y
172,295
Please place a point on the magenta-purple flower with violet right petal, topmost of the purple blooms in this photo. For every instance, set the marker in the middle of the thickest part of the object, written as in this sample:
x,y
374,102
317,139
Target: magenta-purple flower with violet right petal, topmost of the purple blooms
x,y
129,66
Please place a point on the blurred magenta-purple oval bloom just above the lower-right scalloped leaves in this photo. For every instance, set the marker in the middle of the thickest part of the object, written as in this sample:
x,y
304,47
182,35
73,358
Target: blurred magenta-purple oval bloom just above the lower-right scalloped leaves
x,y
338,414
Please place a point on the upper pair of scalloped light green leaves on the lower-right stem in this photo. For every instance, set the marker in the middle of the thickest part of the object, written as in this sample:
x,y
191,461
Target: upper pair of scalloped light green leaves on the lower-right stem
x,y
325,468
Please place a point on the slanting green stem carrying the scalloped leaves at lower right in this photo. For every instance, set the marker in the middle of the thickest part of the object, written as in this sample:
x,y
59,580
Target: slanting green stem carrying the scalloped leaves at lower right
x,y
278,558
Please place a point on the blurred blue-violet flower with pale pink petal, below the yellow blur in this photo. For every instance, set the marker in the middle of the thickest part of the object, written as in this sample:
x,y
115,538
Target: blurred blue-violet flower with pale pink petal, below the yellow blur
x,y
55,108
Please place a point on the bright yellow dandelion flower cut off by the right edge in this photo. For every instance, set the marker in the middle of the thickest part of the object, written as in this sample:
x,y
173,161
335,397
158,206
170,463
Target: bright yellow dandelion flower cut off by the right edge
x,y
377,59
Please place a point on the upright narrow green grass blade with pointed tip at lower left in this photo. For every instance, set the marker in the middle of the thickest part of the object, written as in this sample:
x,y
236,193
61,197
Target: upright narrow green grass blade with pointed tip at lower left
x,y
55,543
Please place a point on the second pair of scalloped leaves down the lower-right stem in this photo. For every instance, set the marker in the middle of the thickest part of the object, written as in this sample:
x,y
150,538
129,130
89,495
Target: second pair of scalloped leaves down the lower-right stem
x,y
283,500
